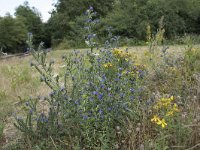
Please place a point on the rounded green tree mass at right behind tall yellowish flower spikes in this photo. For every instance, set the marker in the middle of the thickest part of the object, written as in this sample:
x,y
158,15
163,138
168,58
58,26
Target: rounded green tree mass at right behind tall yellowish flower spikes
x,y
130,17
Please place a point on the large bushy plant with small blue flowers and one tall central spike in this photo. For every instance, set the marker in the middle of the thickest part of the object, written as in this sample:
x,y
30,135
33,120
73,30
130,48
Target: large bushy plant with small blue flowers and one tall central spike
x,y
93,103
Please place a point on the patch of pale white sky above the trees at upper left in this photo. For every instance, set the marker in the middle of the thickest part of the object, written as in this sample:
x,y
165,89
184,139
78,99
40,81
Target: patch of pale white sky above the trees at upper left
x,y
44,6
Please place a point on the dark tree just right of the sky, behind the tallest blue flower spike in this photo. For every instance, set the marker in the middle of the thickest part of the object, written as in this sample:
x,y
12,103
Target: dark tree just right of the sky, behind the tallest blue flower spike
x,y
65,22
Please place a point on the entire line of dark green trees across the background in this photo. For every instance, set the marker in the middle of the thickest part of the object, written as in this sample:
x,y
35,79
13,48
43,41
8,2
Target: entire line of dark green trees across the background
x,y
128,18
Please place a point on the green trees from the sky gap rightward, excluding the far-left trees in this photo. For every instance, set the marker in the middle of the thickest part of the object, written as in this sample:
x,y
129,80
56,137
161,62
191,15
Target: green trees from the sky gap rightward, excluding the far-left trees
x,y
128,18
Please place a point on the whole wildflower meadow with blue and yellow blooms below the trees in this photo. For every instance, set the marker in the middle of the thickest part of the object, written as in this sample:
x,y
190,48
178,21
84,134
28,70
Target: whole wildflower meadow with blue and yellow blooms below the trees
x,y
105,97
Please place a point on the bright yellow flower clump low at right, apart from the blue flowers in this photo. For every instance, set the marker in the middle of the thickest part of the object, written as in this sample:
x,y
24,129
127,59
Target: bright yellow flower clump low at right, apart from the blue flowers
x,y
165,109
